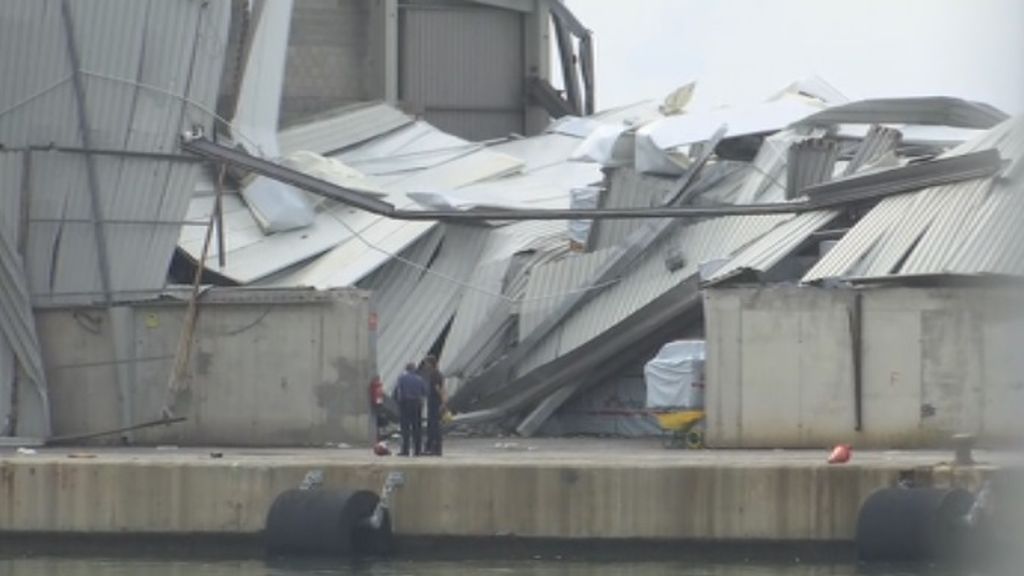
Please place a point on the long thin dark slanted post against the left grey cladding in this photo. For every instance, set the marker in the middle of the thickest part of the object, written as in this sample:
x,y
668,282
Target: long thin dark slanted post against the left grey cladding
x,y
91,163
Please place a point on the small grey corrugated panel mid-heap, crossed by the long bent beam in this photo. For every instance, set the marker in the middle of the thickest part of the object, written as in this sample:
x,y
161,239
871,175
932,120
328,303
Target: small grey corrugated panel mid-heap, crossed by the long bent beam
x,y
628,189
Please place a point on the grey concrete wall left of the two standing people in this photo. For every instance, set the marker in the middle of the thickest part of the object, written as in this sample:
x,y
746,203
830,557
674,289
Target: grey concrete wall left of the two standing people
x,y
269,368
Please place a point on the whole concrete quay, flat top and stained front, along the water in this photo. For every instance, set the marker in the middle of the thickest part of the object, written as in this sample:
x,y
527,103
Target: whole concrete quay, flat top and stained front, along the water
x,y
547,489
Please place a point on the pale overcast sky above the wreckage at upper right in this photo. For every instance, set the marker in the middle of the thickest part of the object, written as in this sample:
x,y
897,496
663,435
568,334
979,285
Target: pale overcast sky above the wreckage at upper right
x,y
744,51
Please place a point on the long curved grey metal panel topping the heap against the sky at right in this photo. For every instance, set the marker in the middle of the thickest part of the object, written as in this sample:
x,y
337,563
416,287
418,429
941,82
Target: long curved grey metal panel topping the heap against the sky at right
x,y
940,111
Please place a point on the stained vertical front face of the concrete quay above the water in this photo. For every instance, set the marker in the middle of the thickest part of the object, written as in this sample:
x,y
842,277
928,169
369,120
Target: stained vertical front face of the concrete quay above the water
x,y
547,501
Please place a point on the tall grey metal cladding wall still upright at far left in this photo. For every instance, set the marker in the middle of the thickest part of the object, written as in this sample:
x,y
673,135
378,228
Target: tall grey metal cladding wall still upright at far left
x,y
141,62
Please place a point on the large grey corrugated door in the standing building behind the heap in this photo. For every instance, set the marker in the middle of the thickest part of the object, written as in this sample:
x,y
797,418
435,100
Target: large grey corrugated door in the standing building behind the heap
x,y
463,67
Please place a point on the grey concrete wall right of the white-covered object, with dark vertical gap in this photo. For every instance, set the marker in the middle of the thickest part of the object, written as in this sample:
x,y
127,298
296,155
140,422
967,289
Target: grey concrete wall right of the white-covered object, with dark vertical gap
x,y
935,362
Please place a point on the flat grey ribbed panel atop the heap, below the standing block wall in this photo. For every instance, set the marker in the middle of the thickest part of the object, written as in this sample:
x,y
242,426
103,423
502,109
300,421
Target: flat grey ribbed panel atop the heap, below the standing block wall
x,y
343,129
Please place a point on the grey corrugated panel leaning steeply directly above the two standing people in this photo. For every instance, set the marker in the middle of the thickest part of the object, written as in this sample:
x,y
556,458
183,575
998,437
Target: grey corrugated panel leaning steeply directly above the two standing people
x,y
417,322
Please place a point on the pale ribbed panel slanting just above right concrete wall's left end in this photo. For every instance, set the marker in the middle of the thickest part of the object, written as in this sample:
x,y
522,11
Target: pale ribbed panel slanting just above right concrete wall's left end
x,y
769,251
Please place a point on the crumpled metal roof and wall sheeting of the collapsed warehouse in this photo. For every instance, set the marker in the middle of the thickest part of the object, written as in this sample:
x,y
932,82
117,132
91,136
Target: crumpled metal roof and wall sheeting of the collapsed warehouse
x,y
536,268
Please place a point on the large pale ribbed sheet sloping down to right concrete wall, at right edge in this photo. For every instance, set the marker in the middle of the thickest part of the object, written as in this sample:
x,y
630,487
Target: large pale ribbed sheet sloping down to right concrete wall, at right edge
x,y
956,229
